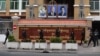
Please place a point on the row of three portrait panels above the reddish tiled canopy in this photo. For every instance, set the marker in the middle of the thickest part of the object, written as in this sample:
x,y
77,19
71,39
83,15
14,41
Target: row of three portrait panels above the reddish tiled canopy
x,y
53,11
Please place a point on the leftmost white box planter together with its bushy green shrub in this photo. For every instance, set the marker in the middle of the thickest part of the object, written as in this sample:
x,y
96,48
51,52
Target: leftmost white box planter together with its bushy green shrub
x,y
12,43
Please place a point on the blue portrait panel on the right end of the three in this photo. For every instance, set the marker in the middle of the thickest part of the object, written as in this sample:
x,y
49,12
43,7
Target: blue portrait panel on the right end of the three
x,y
62,11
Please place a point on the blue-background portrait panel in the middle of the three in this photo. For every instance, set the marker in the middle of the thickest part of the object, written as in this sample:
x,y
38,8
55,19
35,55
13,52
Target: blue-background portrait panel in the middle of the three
x,y
52,11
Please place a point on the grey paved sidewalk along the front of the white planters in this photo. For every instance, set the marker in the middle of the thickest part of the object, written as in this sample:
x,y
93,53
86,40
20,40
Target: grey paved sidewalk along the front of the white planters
x,y
81,50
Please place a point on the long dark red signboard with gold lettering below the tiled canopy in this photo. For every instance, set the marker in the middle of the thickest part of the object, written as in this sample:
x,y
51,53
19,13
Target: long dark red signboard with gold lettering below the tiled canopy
x,y
33,32
